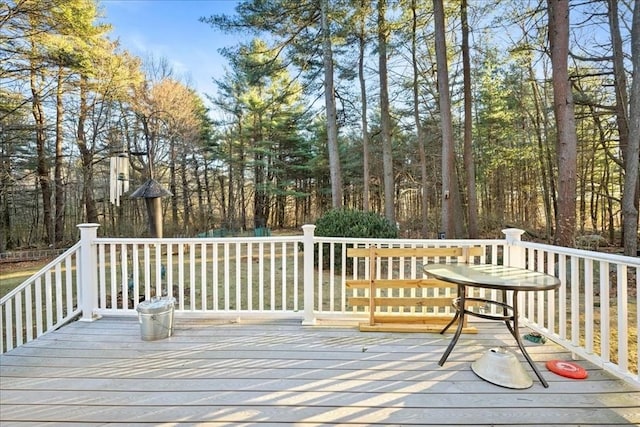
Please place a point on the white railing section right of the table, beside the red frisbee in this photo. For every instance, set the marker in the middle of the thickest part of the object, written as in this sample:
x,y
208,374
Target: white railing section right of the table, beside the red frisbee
x,y
591,314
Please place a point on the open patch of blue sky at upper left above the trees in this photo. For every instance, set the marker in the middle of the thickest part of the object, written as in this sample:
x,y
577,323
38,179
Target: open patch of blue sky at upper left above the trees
x,y
170,29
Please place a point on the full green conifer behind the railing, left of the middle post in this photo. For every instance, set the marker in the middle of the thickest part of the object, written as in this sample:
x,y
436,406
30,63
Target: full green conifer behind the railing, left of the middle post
x,y
265,105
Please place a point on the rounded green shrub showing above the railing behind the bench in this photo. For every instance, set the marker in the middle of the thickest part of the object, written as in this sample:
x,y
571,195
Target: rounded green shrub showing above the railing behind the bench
x,y
352,223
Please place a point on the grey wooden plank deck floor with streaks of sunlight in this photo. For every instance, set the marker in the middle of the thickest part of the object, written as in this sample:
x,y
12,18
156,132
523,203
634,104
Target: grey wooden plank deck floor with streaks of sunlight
x,y
273,373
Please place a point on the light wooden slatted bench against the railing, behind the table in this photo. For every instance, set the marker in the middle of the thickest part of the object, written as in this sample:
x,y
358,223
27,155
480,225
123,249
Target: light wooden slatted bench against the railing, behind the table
x,y
405,305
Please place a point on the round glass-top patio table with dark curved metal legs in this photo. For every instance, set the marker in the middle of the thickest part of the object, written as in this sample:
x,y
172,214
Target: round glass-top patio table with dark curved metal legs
x,y
498,277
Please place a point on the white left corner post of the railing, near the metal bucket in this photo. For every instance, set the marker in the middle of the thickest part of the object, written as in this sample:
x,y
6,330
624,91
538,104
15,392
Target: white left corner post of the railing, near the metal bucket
x,y
88,297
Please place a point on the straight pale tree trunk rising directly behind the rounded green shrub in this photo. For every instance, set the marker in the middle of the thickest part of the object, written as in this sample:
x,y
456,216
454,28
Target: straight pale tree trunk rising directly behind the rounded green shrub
x,y
335,168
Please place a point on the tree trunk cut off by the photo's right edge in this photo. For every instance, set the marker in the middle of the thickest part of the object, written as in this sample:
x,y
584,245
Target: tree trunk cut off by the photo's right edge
x,y
630,194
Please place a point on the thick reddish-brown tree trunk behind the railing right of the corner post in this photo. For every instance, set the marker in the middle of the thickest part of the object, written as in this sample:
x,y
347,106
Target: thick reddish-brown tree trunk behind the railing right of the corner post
x,y
563,107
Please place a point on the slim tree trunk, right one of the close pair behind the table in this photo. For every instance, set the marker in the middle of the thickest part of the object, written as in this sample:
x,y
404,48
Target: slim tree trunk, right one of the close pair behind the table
x,y
469,164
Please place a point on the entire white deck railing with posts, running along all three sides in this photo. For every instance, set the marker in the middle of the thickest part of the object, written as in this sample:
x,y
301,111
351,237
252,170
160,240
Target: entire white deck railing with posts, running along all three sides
x,y
303,277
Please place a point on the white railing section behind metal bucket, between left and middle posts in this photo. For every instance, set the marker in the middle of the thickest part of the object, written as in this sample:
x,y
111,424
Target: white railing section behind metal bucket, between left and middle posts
x,y
237,276
